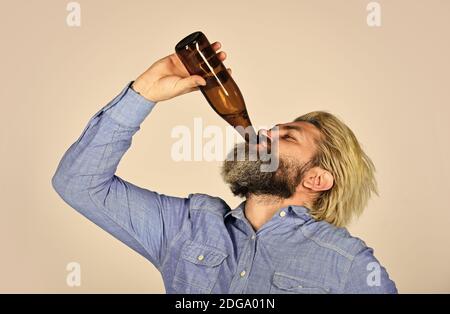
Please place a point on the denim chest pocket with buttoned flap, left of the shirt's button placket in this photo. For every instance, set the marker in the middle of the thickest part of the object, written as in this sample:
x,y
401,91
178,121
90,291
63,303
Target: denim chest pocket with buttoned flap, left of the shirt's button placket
x,y
198,268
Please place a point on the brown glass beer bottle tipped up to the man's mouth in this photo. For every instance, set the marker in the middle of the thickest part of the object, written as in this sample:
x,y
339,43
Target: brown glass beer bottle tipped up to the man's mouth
x,y
221,91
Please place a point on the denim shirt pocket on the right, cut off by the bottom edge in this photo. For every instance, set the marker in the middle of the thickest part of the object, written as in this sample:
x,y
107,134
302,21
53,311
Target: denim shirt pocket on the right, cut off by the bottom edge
x,y
284,284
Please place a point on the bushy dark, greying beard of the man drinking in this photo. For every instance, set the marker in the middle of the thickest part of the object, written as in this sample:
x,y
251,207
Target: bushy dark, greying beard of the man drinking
x,y
245,176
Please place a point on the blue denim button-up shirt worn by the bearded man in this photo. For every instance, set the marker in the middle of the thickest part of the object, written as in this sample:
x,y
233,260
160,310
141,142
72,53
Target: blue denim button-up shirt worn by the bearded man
x,y
198,243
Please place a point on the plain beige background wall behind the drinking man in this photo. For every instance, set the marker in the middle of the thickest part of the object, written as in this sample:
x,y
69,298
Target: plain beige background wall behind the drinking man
x,y
390,84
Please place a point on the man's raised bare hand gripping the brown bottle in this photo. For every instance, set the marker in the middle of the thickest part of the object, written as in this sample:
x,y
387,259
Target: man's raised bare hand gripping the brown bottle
x,y
168,78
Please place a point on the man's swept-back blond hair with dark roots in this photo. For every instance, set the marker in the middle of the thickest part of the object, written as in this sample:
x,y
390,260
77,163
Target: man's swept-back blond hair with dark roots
x,y
340,153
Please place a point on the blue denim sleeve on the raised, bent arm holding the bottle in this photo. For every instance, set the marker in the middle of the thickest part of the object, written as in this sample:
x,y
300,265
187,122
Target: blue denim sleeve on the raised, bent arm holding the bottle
x,y
85,179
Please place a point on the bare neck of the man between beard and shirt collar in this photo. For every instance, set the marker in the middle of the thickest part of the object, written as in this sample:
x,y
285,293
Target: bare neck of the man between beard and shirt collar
x,y
259,209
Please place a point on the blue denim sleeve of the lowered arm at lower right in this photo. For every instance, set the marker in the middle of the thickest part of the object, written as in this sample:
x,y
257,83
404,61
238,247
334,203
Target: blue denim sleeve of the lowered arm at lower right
x,y
367,276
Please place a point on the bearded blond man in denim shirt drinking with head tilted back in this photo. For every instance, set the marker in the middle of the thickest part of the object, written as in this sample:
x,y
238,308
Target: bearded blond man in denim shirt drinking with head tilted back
x,y
287,237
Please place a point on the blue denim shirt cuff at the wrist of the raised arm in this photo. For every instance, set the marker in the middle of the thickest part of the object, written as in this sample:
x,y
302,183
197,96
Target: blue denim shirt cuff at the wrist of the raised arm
x,y
129,108
